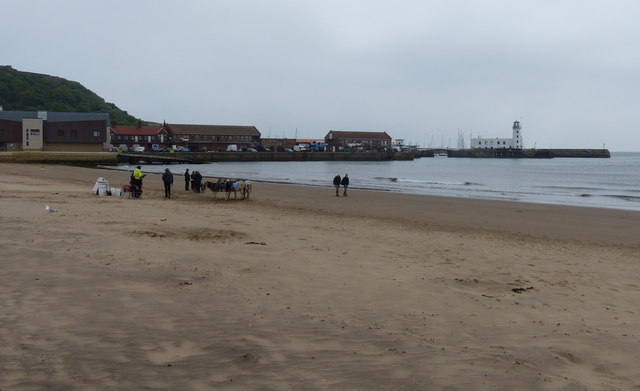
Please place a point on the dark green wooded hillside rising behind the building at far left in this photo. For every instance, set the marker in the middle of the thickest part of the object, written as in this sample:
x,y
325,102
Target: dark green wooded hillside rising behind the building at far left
x,y
32,92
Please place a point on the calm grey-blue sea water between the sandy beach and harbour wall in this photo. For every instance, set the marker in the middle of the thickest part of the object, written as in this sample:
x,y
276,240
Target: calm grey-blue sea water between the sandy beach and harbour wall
x,y
608,183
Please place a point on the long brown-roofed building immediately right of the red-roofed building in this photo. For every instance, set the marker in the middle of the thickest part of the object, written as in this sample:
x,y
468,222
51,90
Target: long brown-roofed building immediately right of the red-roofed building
x,y
212,138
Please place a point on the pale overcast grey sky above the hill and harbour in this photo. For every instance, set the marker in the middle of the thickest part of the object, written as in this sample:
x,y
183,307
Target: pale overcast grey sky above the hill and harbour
x,y
420,70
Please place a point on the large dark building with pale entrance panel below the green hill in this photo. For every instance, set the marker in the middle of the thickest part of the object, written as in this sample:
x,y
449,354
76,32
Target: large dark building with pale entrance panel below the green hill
x,y
54,131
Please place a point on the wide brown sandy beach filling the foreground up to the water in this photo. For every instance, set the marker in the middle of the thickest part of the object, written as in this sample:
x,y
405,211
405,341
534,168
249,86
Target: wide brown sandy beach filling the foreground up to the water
x,y
296,289
